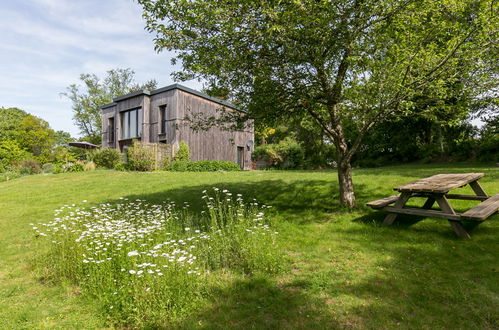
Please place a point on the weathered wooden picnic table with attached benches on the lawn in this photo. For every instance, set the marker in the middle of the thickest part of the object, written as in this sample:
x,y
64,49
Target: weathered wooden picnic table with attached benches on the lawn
x,y
436,189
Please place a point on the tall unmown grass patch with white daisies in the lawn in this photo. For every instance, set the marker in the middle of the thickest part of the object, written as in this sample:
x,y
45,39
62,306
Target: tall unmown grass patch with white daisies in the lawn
x,y
146,261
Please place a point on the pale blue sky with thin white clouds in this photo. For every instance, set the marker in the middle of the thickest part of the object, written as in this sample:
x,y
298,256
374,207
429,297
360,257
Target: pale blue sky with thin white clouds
x,y
46,44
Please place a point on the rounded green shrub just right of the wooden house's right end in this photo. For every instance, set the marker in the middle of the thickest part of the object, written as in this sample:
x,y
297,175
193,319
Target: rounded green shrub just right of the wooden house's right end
x,y
288,153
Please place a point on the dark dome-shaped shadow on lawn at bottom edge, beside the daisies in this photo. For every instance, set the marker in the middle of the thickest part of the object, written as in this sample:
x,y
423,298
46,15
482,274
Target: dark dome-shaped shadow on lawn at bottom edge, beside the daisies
x,y
258,303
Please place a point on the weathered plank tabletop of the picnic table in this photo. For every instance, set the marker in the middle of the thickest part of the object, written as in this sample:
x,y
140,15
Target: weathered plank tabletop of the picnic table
x,y
440,183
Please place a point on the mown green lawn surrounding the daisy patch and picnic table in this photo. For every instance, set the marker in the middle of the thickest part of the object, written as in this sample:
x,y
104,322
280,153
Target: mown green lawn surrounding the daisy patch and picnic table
x,y
342,268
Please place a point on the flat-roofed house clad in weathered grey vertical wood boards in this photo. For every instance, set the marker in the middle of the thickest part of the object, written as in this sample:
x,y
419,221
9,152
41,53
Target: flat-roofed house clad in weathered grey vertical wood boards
x,y
159,116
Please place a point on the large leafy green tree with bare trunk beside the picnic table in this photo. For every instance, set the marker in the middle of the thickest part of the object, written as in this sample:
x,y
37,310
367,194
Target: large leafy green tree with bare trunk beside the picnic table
x,y
347,64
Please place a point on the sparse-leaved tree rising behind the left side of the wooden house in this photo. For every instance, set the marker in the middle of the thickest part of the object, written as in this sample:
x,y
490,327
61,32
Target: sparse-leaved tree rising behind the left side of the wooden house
x,y
95,92
